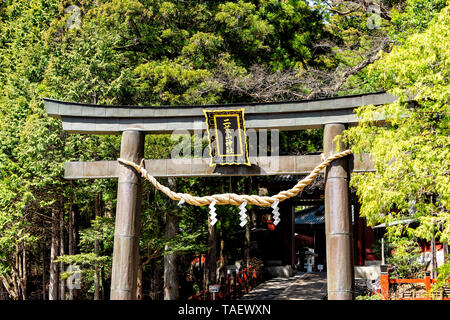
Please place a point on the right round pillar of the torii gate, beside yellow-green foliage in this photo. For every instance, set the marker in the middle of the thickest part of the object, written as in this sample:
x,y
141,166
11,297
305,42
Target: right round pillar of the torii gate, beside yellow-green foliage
x,y
338,223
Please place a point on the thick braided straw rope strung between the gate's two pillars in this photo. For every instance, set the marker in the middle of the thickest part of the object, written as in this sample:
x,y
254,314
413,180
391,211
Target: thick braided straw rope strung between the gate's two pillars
x,y
232,198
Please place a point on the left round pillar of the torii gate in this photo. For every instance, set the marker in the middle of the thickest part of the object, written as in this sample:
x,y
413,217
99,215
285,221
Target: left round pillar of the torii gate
x,y
128,212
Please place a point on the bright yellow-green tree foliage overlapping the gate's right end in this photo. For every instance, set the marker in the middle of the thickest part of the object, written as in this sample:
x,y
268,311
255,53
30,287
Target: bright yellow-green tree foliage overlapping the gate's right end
x,y
411,150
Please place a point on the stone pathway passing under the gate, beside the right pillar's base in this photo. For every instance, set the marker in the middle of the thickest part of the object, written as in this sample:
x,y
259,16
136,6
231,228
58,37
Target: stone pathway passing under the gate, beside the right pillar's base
x,y
303,286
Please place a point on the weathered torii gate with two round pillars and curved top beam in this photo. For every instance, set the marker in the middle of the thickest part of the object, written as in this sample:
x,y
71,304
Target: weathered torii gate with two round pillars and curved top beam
x,y
332,114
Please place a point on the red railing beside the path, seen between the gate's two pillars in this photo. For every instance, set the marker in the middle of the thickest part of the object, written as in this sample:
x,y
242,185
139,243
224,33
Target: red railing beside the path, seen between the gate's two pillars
x,y
234,286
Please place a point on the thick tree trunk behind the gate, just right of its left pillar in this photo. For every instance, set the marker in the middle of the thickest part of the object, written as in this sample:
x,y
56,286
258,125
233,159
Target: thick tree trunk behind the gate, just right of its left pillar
x,y
171,283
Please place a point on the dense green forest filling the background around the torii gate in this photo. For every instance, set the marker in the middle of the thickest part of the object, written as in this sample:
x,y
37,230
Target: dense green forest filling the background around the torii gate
x,y
151,52
